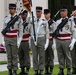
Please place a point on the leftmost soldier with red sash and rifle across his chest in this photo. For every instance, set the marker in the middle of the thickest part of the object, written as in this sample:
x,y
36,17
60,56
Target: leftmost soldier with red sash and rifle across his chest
x,y
10,40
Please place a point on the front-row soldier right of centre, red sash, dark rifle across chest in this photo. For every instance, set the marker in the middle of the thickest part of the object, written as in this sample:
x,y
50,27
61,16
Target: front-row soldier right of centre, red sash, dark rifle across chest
x,y
63,41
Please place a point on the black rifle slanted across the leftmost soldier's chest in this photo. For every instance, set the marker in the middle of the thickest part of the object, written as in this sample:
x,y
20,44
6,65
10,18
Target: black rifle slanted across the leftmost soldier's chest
x,y
11,23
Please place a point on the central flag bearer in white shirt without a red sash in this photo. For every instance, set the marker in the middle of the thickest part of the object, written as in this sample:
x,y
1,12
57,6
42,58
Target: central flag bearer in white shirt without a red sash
x,y
42,41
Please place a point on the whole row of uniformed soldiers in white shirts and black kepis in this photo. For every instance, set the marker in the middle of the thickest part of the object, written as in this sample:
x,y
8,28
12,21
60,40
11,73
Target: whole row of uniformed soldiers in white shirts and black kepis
x,y
24,32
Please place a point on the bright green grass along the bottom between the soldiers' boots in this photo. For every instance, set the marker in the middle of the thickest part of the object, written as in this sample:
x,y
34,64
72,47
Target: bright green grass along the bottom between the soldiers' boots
x,y
55,71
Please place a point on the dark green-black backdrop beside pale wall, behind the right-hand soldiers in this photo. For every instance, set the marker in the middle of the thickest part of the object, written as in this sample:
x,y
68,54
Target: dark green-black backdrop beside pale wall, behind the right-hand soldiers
x,y
54,5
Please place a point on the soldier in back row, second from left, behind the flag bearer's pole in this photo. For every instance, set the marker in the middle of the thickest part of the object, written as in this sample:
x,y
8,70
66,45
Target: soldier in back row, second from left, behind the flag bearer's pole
x,y
24,57
